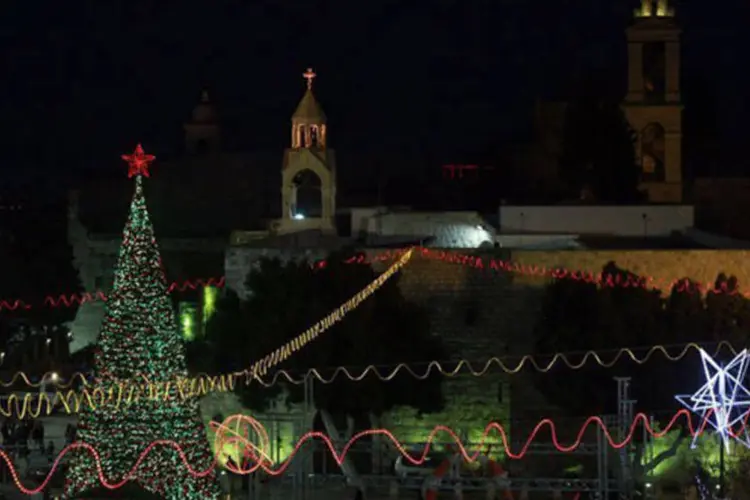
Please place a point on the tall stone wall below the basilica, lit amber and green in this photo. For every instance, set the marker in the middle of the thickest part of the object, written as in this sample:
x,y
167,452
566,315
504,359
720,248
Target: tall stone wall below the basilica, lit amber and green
x,y
483,313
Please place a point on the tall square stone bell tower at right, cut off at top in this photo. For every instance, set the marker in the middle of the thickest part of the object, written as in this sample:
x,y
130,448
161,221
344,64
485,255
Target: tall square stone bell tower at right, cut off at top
x,y
653,105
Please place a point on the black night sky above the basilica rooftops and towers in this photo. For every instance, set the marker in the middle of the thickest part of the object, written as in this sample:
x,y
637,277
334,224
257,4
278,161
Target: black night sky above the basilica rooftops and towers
x,y
84,81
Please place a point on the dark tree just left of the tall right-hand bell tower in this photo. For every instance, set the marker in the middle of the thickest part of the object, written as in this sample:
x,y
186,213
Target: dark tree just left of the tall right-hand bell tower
x,y
599,153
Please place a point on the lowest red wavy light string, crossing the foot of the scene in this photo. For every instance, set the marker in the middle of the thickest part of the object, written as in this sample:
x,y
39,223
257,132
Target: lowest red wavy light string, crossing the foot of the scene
x,y
255,453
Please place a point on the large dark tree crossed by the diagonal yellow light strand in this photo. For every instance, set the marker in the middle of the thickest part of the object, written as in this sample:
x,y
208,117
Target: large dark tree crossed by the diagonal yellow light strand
x,y
285,298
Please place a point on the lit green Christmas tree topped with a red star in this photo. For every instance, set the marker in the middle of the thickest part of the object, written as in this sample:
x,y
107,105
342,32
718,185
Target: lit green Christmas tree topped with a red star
x,y
140,338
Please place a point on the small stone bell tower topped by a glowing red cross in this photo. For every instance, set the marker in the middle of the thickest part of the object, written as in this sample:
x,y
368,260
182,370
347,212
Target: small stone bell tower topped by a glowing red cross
x,y
308,156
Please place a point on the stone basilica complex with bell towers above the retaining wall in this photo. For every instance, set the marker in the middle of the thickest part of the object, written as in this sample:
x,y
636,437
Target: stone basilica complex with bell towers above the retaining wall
x,y
217,211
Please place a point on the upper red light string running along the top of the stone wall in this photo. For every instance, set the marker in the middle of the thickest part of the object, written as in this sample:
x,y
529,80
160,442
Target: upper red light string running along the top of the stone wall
x,y
499,265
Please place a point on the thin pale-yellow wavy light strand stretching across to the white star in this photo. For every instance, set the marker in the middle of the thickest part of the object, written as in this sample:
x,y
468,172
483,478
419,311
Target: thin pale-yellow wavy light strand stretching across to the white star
x,y
461,367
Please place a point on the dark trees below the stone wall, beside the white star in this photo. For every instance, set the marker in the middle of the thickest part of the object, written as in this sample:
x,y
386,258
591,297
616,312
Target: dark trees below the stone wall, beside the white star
x,y
579,317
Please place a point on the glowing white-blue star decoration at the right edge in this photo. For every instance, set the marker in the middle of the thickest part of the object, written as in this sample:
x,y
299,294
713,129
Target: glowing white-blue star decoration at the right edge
x,y
723,401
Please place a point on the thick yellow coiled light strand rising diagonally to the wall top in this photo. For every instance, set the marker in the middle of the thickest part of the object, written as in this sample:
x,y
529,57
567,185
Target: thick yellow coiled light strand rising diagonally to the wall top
x,y
126,392
